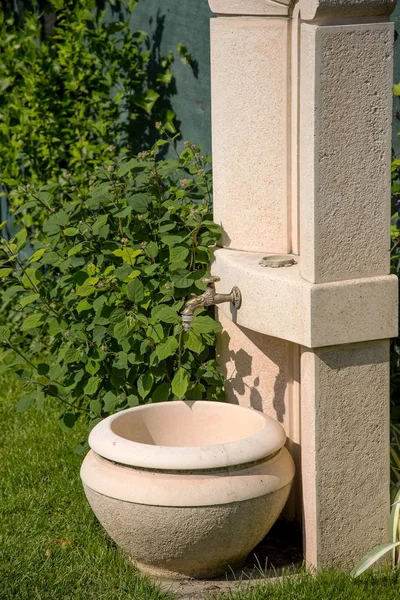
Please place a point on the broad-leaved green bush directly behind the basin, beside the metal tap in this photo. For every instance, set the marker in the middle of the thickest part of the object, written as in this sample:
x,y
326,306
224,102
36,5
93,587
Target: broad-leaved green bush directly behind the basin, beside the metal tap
x,y
95,320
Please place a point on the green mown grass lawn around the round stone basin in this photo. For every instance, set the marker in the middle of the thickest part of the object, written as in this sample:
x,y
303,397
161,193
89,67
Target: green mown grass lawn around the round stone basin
x,y
52,548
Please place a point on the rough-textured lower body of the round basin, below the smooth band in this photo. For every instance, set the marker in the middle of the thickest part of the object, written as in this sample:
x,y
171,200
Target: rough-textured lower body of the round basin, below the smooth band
x,y
188,542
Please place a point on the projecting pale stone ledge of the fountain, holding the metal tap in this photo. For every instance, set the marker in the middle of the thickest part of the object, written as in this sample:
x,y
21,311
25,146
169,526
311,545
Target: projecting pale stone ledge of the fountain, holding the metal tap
x,y
280,303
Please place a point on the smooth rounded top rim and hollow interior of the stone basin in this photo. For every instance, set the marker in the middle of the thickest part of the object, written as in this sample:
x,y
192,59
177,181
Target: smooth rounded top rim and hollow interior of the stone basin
x,y
187,435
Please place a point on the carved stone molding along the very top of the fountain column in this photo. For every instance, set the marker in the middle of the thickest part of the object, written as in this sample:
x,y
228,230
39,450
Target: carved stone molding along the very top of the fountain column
x,y
309,9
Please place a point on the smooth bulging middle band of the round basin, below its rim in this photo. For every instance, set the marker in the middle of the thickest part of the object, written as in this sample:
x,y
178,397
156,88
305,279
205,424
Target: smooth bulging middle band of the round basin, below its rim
x,y
186,488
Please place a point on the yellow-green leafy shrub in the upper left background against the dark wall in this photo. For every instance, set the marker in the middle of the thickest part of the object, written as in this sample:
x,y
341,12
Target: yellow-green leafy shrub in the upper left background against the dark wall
x,y
71,85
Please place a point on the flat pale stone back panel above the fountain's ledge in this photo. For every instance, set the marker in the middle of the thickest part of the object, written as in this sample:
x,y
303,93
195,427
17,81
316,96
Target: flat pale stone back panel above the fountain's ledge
x,y
249,72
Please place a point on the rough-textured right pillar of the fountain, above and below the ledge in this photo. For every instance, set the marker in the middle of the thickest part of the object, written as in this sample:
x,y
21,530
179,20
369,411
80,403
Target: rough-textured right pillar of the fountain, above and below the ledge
x,y
344,174
